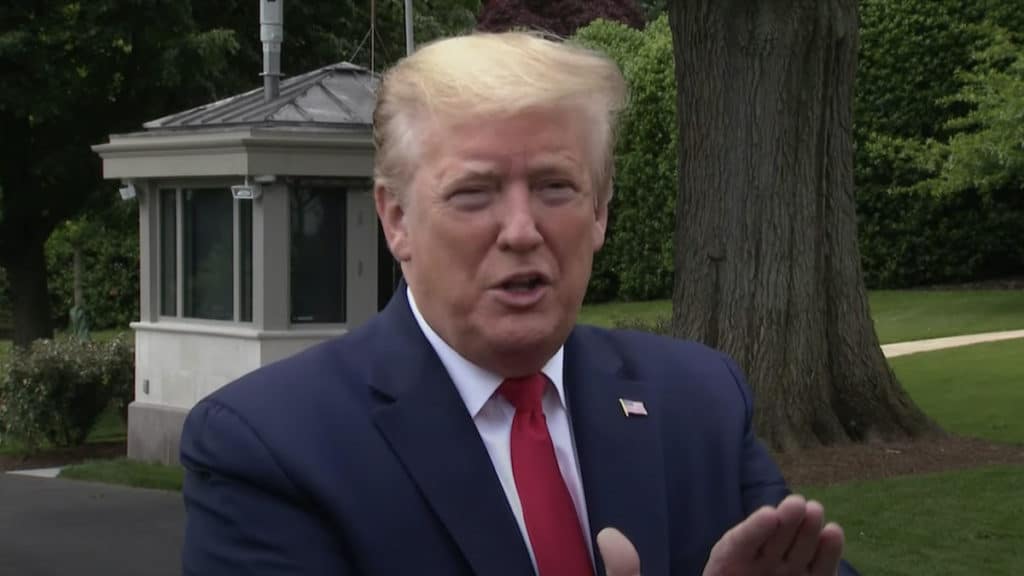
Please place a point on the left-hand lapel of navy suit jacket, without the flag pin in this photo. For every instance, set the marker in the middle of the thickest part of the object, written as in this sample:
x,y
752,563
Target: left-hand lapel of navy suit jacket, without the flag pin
x,y
426,424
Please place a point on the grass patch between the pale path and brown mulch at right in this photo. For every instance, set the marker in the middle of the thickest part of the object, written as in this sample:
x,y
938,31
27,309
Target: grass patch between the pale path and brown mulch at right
x,y
974,391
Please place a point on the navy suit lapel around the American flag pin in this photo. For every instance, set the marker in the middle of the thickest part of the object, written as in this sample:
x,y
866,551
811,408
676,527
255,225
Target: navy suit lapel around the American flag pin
x,y
621,459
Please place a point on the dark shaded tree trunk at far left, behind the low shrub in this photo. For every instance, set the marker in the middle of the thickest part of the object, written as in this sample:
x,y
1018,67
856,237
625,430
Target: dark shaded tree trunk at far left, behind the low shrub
x,y
29,295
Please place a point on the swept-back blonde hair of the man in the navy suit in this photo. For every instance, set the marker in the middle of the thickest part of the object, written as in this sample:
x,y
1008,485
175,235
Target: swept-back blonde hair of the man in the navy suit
x,y
502,74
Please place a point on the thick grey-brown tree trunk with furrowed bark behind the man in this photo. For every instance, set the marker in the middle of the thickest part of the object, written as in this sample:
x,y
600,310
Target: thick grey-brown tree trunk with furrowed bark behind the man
x,y
767,265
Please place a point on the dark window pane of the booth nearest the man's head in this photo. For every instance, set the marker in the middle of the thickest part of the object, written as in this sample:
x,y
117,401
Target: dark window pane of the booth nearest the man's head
x,y
318,267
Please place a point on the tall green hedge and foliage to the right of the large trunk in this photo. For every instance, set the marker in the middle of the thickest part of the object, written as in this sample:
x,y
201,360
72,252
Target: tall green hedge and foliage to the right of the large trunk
x,y
941,171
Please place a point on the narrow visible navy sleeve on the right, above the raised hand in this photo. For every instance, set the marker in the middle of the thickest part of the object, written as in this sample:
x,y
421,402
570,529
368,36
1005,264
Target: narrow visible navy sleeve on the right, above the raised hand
x,y
762,482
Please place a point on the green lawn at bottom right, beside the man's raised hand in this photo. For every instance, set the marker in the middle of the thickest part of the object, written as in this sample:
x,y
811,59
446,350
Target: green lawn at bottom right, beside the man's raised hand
x,y
956,524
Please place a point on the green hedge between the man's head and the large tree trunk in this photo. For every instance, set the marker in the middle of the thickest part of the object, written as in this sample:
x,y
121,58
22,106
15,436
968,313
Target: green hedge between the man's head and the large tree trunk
x,y
636,263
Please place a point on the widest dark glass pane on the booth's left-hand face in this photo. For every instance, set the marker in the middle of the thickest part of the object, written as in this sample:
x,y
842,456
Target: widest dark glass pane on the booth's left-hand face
x,y
209,258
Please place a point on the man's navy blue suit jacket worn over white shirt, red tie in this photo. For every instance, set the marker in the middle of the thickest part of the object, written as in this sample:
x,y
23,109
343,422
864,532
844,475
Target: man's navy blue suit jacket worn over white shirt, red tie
x,y
360,458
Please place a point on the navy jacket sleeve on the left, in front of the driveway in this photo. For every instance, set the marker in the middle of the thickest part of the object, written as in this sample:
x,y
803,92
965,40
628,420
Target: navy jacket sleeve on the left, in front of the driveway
x,y
244,516
